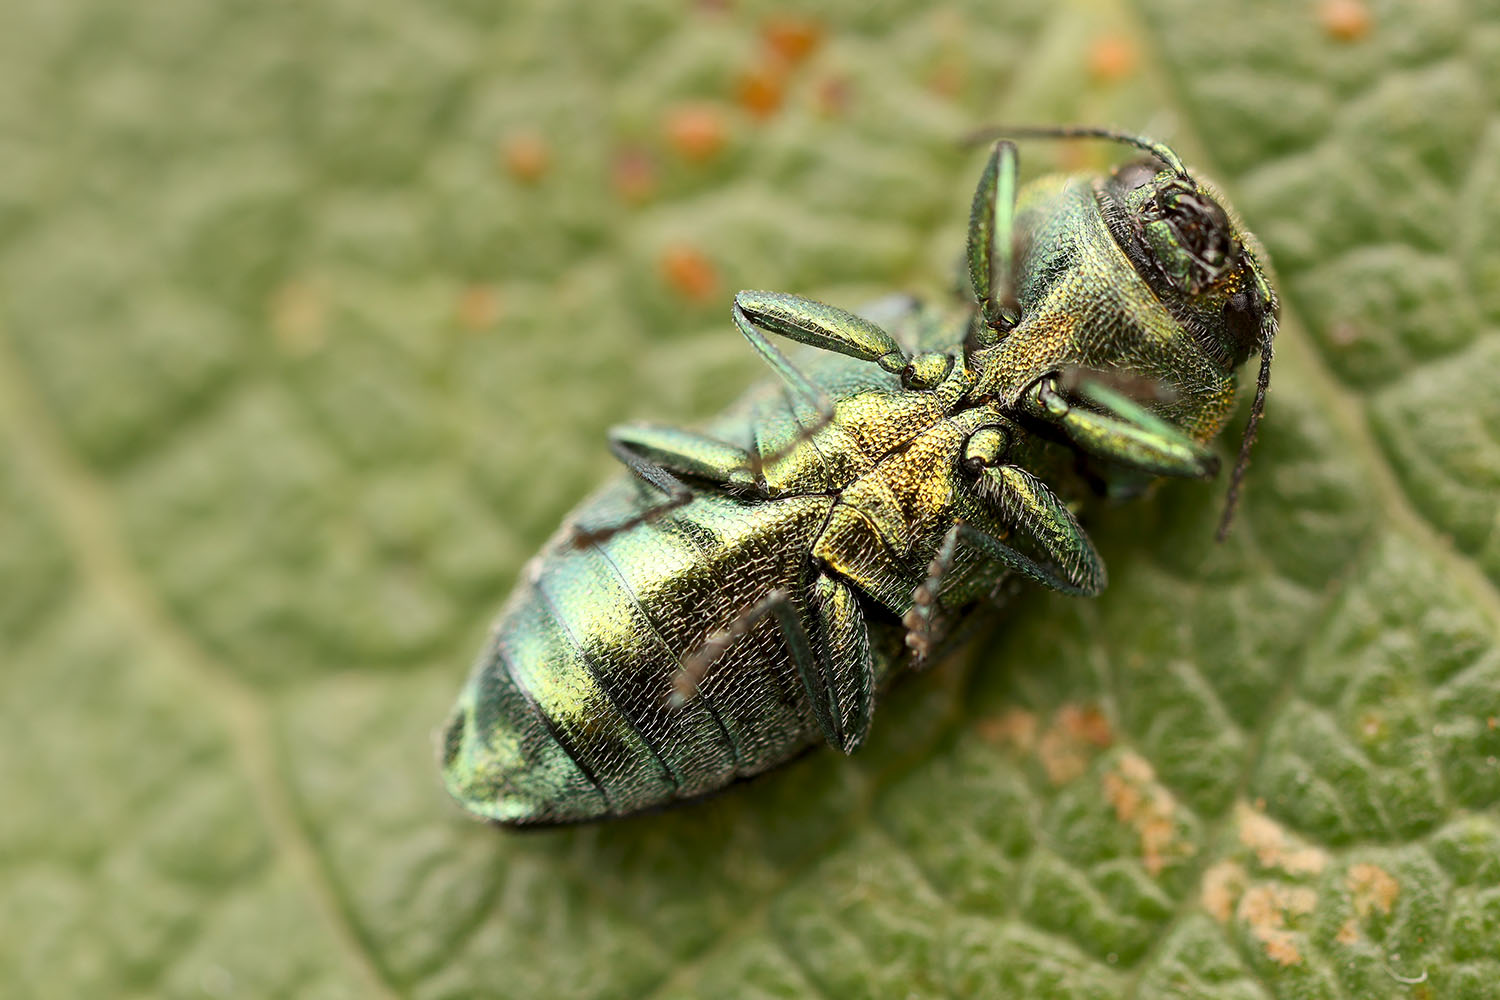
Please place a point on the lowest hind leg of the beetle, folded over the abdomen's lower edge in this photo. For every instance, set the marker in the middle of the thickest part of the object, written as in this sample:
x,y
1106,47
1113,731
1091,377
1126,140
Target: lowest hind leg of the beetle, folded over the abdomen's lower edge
x,y
838,674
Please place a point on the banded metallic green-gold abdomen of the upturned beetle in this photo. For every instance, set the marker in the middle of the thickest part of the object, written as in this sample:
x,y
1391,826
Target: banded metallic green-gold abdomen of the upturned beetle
x,y
568,714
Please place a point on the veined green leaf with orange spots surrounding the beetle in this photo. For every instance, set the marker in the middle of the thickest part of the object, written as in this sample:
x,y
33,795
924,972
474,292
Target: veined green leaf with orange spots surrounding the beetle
x,y
313,317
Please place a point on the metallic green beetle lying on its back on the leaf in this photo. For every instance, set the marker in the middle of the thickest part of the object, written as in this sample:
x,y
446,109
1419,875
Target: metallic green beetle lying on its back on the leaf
x,y
751,588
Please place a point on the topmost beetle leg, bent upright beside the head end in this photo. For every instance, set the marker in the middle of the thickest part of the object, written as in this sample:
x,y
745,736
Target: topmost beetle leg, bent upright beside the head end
x,y
992,244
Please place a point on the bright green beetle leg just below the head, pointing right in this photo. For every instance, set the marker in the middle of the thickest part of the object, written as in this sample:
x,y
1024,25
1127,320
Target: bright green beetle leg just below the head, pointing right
x,y
1126,433
